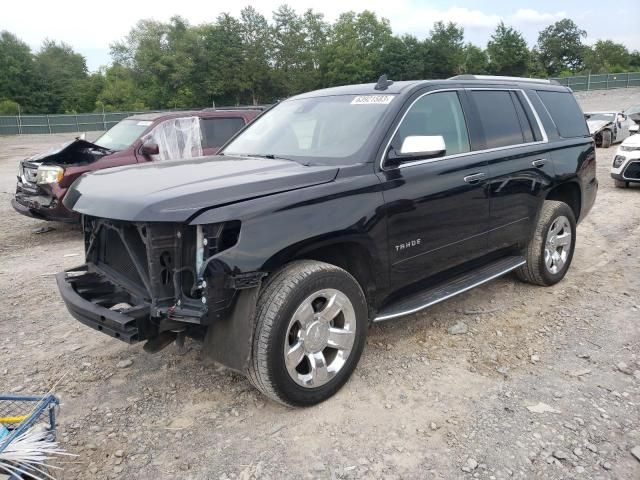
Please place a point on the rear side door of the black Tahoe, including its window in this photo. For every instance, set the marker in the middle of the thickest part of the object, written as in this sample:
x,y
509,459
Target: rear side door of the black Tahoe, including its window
x,y
519,163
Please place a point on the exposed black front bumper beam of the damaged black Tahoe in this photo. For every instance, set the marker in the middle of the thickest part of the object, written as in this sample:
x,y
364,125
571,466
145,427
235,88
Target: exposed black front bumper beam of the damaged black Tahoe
x,y
85,293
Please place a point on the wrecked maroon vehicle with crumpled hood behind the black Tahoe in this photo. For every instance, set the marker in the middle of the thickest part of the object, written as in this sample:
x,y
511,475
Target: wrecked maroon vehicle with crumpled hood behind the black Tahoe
x,y
43,179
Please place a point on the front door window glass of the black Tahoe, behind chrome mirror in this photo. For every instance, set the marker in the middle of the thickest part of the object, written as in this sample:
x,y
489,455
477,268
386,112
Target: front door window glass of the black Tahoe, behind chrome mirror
x,y
436,114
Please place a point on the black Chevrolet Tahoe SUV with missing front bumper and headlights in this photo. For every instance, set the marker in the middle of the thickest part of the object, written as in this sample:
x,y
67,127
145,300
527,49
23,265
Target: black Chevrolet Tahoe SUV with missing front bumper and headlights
x,y
334,209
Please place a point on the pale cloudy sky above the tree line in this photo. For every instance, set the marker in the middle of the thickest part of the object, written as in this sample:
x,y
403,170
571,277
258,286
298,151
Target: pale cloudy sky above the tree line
x,y
91,27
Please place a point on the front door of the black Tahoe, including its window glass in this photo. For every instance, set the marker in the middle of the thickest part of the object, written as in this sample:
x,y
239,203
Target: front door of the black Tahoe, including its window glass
x,y
437,209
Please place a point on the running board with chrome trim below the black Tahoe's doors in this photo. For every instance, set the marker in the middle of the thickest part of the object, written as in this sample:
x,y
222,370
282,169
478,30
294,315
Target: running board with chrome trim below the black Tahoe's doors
x,y
421,300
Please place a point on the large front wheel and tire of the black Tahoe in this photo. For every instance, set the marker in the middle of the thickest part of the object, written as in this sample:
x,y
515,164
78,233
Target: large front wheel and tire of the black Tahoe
x,y
311,323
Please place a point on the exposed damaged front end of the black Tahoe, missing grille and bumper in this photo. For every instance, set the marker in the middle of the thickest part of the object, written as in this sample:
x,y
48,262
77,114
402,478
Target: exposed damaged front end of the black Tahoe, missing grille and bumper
x,y
160,282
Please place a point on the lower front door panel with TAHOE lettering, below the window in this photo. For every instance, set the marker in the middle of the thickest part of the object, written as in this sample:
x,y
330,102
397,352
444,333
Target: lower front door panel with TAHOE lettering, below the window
x,y
435,219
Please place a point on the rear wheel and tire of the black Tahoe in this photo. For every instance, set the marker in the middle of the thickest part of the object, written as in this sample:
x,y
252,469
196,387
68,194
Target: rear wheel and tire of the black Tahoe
x,y
550,251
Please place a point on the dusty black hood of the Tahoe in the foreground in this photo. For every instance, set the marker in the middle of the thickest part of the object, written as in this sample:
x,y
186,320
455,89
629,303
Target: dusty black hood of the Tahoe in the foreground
x,y
174,191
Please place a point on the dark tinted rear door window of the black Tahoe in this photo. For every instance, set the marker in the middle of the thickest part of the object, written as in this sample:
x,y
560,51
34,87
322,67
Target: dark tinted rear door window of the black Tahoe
x,y
499,118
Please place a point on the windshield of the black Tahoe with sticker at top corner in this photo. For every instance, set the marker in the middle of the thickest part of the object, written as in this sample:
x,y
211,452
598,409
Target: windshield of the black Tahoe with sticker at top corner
x,y
313,129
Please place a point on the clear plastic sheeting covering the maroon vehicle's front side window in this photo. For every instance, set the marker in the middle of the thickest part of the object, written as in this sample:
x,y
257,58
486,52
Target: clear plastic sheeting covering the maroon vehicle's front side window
x,y
177,139
